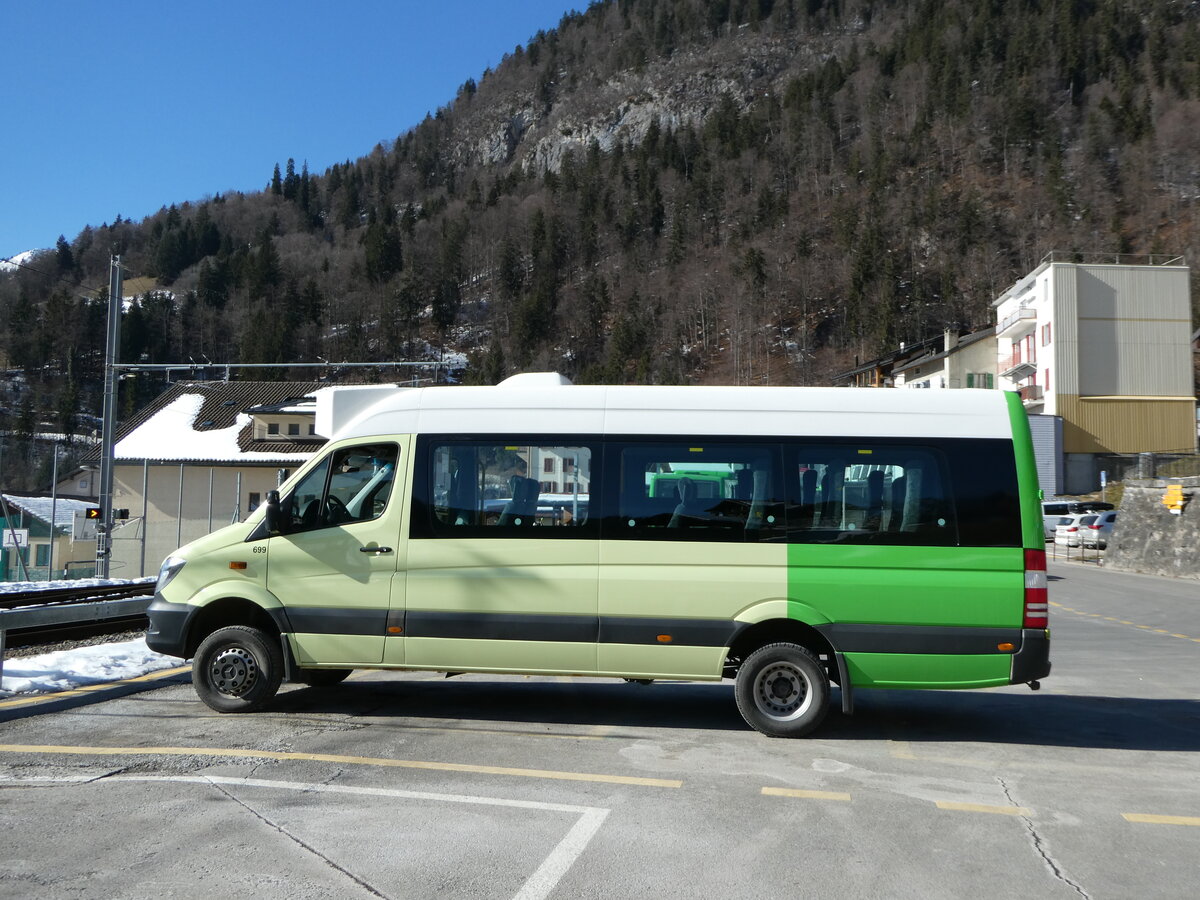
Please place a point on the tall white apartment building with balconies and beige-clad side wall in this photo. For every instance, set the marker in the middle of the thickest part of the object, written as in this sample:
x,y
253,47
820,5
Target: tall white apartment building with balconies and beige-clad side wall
x,y
1106,346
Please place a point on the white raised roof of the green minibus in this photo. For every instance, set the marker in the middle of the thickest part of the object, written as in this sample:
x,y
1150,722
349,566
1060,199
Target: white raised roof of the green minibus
x,y
547,404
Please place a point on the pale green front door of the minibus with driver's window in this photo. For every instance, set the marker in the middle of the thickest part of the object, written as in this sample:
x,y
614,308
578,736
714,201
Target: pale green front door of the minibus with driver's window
x,y
335,563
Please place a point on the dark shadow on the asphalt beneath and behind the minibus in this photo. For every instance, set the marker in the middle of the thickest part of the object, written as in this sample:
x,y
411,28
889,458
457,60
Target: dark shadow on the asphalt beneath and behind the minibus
x,y
1041,719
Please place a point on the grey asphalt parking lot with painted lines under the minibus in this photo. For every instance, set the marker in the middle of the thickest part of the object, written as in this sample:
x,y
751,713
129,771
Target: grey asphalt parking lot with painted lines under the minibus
x,y
411,785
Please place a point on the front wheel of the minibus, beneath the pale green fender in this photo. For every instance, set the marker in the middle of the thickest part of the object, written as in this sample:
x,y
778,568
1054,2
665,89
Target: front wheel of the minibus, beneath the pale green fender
x,y
238,669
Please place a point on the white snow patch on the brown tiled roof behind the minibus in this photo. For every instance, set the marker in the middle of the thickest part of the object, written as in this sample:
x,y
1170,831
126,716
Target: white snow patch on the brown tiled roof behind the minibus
x,y
171,435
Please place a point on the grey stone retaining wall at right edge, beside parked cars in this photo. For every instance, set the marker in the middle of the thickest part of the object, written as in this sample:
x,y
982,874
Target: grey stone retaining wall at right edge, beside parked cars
x,y
1149,538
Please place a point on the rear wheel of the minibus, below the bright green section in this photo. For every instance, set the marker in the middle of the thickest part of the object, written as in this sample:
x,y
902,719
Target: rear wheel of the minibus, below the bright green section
x,y
783,691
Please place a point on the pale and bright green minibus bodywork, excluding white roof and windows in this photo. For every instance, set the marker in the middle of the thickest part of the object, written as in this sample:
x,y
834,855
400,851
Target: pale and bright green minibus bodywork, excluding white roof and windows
x,y
371,595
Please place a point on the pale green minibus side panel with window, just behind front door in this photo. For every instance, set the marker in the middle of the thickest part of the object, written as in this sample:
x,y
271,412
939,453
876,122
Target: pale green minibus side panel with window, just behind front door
x,y
503,557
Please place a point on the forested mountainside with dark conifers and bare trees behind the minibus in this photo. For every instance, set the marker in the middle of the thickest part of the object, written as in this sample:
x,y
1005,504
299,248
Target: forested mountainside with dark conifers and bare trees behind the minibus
x,y
663,191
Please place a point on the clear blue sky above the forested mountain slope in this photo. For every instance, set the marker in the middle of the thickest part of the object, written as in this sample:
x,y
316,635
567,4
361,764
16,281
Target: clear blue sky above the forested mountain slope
x,y
128,107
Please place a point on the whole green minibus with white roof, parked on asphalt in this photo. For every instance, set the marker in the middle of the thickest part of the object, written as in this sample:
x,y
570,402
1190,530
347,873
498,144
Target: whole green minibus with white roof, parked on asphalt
x,y
859,538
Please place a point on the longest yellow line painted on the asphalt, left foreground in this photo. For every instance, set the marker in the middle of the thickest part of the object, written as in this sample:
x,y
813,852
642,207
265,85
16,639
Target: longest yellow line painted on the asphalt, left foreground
x,y
338,758
